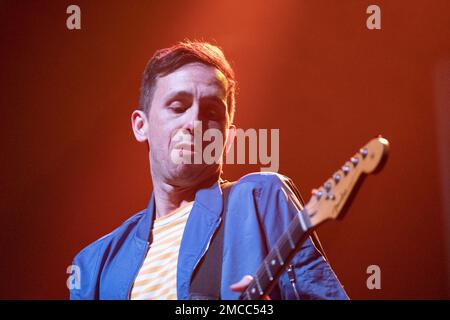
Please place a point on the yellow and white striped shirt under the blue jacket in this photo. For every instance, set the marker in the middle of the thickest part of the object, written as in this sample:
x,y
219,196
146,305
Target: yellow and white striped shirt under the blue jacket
x,y
157,277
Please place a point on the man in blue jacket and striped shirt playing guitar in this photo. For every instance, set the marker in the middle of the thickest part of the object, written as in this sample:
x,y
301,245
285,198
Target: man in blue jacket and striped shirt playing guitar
x,y
156,253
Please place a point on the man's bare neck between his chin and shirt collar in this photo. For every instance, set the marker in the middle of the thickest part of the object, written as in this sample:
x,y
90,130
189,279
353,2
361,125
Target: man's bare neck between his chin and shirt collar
x,y
169,197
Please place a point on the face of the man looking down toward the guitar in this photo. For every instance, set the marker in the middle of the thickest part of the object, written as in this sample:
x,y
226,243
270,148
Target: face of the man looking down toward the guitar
x,y
191,96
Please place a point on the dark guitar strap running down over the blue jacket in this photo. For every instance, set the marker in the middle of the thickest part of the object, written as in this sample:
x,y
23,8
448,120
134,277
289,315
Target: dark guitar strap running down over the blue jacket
x,y
206,281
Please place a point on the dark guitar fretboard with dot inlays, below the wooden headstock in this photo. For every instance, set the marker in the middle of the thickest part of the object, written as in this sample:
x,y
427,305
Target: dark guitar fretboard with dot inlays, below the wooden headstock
x,y
278,258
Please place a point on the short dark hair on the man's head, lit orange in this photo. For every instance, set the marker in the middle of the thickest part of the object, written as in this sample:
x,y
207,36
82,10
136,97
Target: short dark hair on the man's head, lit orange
x,y
168,60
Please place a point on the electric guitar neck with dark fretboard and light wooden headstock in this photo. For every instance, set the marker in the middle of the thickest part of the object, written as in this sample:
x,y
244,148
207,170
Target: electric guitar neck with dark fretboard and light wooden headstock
x,y
330,201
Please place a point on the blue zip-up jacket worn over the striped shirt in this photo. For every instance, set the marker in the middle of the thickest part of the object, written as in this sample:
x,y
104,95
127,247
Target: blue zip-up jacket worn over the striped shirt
x,y
260,207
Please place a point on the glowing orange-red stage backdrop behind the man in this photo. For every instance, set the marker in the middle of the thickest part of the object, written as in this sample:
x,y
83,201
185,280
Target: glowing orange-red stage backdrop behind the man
x,y
72,171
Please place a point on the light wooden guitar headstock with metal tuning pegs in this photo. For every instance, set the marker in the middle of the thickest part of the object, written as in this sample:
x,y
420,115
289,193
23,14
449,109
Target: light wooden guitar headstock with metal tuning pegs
x,y
333,198
